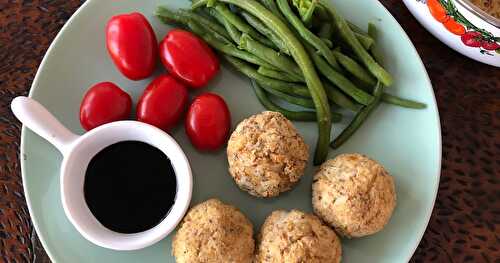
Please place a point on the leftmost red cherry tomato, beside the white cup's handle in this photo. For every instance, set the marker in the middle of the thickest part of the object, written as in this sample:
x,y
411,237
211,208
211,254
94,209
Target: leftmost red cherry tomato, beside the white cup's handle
x,y
103,103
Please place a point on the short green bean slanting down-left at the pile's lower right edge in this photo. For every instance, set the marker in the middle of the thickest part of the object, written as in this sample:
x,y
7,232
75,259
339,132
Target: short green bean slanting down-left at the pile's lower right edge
x,y
359,119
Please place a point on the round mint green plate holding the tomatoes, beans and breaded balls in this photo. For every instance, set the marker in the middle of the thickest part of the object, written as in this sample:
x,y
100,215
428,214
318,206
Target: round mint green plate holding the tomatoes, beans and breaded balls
x,y
406,142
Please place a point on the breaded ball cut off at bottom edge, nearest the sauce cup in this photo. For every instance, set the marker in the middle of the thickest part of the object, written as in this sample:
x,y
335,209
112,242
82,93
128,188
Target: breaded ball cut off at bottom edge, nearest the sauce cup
x,y
214,232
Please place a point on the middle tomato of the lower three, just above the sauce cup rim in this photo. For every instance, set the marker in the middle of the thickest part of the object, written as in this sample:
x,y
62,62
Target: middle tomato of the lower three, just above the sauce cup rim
x,y
162,102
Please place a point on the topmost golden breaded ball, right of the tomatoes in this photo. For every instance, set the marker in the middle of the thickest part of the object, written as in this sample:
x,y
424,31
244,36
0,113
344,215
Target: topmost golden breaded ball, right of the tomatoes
x,y
266,155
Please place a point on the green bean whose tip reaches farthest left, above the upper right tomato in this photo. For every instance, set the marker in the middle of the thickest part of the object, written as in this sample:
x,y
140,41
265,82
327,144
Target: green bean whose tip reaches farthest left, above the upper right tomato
x,y
184,15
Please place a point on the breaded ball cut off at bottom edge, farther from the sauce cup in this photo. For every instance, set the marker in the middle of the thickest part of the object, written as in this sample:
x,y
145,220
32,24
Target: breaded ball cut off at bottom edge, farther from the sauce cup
x,y
297,237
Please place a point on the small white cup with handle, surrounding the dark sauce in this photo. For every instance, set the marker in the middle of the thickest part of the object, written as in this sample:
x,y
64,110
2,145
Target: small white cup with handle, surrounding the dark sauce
x,y
77,152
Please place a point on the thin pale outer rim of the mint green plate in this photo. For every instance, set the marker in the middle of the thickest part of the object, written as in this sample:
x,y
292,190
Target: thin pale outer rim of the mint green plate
x,y
34,84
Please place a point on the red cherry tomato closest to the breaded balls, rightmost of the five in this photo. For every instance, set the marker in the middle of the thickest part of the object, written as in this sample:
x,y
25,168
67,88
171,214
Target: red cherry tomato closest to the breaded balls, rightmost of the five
x,y
208,122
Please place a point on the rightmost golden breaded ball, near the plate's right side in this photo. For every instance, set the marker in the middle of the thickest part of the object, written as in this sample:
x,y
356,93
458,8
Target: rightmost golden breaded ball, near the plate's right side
x,y
354,194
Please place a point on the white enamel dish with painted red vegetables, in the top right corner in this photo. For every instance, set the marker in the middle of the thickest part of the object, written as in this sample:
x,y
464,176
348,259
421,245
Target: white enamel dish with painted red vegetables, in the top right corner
x,y
473,20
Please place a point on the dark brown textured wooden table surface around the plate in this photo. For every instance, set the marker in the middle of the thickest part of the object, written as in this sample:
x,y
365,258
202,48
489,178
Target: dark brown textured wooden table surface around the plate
x,y
465,224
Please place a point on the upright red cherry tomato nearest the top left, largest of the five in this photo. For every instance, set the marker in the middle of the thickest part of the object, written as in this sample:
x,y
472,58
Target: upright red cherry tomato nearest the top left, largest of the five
x,y
132,44
